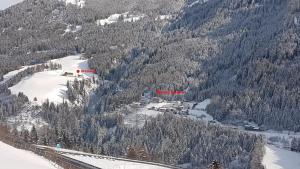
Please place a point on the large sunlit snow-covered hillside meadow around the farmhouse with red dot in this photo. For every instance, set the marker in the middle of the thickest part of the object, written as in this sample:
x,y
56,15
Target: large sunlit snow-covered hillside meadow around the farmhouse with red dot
x,y
51,84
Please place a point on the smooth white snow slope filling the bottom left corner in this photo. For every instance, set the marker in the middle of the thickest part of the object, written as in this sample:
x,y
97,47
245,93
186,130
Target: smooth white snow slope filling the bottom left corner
x,y
13,158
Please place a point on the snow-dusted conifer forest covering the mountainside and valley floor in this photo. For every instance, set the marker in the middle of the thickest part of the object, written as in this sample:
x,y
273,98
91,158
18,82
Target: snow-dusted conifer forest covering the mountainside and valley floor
x,y
244,54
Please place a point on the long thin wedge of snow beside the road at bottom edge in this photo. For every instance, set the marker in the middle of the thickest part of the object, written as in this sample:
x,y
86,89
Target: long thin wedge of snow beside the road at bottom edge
x,y
106,163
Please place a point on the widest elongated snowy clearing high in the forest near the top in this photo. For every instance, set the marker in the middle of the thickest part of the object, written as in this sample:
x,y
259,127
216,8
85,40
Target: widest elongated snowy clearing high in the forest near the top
x,y
125,17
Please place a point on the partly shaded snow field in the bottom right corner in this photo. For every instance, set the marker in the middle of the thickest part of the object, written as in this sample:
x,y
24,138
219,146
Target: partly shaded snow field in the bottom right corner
x,y
277,158
